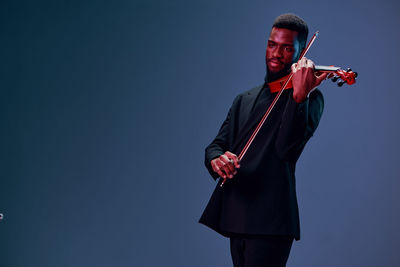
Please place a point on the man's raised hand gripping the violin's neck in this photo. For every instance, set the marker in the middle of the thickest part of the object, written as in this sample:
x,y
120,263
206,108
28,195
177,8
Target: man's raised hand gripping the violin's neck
x,y
305,79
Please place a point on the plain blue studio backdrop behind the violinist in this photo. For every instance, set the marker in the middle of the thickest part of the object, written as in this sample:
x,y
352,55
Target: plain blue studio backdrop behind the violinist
x,y
107,106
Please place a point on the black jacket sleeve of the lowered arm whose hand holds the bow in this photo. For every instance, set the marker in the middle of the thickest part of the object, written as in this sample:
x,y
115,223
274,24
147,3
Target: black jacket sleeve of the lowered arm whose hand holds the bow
x,y
220,144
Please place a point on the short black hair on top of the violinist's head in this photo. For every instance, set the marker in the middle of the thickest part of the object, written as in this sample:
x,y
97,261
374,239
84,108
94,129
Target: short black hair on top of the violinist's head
x,y
295,23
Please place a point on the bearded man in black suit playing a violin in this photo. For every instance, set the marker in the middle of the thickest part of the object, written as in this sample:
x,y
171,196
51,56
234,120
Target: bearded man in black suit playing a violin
x,y
257,206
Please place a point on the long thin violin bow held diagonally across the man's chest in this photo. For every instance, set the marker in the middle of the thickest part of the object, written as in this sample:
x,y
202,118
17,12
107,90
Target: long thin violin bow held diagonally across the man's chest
x,y
265,116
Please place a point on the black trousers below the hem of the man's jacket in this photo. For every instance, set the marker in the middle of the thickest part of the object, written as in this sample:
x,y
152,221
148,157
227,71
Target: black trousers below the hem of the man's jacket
x,y
260,251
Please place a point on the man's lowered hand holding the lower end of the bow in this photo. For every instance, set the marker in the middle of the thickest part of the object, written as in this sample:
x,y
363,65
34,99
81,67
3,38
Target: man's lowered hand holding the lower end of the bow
x,y
226,165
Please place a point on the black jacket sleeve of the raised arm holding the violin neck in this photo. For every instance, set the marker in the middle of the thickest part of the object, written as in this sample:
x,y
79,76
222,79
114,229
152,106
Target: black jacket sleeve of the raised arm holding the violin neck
x,y
298,124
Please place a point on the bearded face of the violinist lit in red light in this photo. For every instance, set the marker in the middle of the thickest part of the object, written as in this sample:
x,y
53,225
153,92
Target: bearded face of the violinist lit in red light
x,y
282,50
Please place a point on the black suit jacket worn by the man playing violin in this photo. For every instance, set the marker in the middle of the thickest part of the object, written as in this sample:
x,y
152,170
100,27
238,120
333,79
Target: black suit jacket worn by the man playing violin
x,y
261,198
